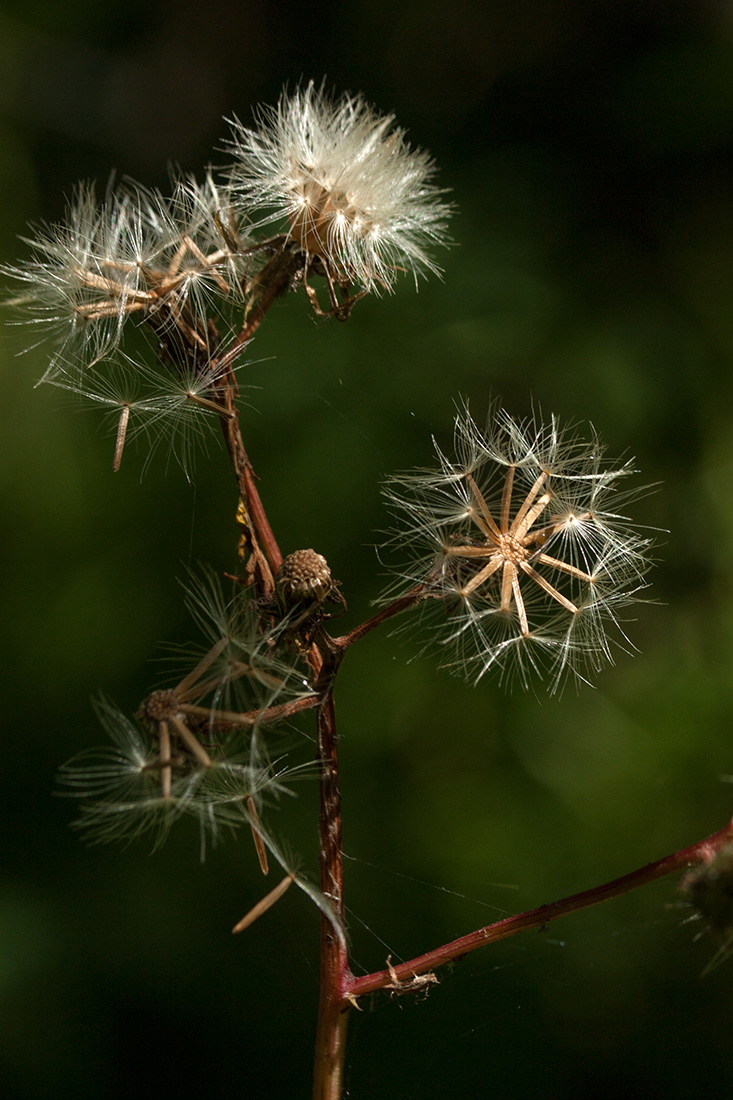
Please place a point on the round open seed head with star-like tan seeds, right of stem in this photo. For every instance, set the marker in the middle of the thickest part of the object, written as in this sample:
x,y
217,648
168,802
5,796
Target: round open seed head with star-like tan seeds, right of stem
x,y
521,537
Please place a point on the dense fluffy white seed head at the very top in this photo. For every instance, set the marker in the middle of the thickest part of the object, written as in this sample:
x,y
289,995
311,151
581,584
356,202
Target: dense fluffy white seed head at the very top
x,y
347,185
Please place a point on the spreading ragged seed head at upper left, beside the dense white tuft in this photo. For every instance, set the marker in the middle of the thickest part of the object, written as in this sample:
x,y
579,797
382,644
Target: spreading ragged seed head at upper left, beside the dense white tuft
x,y
137,255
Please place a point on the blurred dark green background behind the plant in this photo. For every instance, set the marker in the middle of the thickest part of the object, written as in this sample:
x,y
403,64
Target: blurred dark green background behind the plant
x,y
589,147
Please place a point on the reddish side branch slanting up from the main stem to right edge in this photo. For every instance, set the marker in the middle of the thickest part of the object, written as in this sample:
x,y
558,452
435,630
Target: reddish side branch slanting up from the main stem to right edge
x,y
538,918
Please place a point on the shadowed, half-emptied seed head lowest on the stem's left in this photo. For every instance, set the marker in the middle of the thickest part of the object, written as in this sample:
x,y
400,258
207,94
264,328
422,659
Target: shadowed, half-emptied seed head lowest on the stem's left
x,y
196,750
